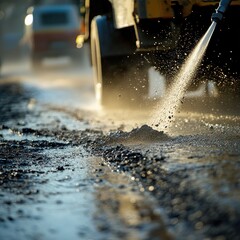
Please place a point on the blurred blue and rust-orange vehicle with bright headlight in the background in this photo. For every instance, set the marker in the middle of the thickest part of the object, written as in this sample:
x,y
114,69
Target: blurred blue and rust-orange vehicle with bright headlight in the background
x,y
51,31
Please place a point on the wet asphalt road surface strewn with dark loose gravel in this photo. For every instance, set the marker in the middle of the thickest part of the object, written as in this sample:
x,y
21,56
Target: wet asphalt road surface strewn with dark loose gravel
x,y
69,170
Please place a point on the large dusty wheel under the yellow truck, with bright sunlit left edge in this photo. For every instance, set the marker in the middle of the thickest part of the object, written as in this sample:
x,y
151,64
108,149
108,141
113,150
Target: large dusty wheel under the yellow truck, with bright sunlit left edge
x,y
120,77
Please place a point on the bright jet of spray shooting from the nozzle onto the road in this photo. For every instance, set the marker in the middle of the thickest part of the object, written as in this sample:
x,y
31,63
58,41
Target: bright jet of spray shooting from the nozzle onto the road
x,y
166,110
